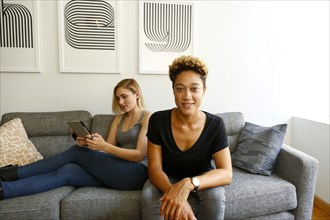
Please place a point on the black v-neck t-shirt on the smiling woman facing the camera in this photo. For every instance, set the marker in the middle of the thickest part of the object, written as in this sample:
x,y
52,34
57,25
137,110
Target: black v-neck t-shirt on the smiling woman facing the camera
x,y
197,159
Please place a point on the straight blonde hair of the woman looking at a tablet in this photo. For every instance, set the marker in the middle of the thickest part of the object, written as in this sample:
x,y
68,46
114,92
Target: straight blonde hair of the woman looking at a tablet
x,y
131,85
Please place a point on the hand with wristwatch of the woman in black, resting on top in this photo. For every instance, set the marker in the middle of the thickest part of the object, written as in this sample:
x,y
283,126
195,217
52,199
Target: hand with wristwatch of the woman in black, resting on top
x,y
174,199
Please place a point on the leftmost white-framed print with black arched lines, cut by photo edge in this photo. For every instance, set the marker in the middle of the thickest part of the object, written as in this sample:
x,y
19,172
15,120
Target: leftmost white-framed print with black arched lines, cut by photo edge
x,y
19,44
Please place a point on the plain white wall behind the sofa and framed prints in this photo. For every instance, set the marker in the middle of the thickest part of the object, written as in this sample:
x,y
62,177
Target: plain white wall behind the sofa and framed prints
x,y
267,59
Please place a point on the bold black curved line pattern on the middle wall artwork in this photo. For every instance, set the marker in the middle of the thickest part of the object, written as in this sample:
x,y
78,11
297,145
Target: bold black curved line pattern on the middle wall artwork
x,y
89,24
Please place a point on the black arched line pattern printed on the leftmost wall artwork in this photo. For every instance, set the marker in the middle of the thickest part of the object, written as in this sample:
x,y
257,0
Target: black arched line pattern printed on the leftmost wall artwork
x,y
16,26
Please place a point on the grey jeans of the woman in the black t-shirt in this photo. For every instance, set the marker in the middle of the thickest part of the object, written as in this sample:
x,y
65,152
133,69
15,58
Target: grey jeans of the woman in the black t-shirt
x,y
208,204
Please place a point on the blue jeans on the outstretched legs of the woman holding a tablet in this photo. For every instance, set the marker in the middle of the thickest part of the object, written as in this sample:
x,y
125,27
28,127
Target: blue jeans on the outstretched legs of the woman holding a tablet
x,y
77,167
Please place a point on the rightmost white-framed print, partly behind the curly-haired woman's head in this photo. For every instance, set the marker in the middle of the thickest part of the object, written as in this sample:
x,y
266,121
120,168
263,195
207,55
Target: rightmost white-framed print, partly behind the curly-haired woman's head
x,y
166,31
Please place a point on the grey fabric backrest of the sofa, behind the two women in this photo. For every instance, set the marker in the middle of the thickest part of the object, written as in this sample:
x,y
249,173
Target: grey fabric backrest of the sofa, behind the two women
x,y
51,135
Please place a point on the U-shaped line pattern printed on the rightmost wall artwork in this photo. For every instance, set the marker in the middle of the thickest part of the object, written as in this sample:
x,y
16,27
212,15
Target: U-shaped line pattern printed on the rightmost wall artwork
x,y
168,26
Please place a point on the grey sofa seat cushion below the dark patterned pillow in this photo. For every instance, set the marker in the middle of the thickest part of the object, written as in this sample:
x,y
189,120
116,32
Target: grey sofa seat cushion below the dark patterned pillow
x,y
256,195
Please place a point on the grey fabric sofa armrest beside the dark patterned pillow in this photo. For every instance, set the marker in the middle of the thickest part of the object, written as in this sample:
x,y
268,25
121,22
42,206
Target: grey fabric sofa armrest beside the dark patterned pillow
x,y
301,170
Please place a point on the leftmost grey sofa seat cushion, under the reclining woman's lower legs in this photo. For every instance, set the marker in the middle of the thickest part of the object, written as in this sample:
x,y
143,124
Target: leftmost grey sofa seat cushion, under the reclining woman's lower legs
x,y
41,206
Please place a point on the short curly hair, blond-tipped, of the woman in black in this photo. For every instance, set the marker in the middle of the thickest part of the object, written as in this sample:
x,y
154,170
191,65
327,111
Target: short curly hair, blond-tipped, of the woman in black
x,y
184,63
